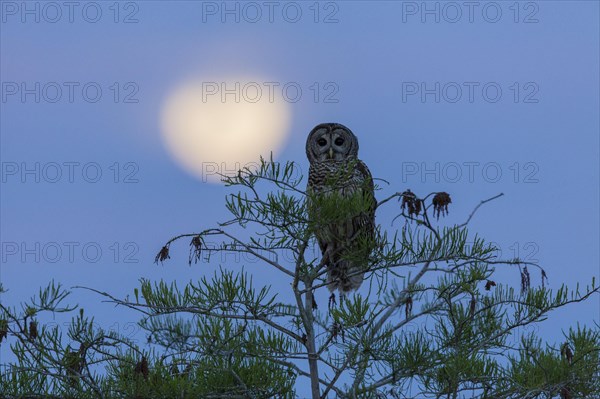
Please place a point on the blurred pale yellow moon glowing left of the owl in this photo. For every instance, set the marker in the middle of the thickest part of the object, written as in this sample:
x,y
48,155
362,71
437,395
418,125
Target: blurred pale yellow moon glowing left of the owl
x,y
215,127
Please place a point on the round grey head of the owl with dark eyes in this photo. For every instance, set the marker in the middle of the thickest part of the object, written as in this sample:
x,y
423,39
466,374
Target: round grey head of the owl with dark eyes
x,y
331,141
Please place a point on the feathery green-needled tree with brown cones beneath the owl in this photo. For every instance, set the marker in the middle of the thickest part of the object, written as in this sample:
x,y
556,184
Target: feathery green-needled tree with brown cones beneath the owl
x,y
431,321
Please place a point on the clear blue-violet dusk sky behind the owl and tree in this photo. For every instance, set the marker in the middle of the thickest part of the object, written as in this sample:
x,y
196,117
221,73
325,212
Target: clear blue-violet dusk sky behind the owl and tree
x,y
538,142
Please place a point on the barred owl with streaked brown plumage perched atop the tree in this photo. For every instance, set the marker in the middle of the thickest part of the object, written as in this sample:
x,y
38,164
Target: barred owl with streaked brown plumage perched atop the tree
x,y
339,181
